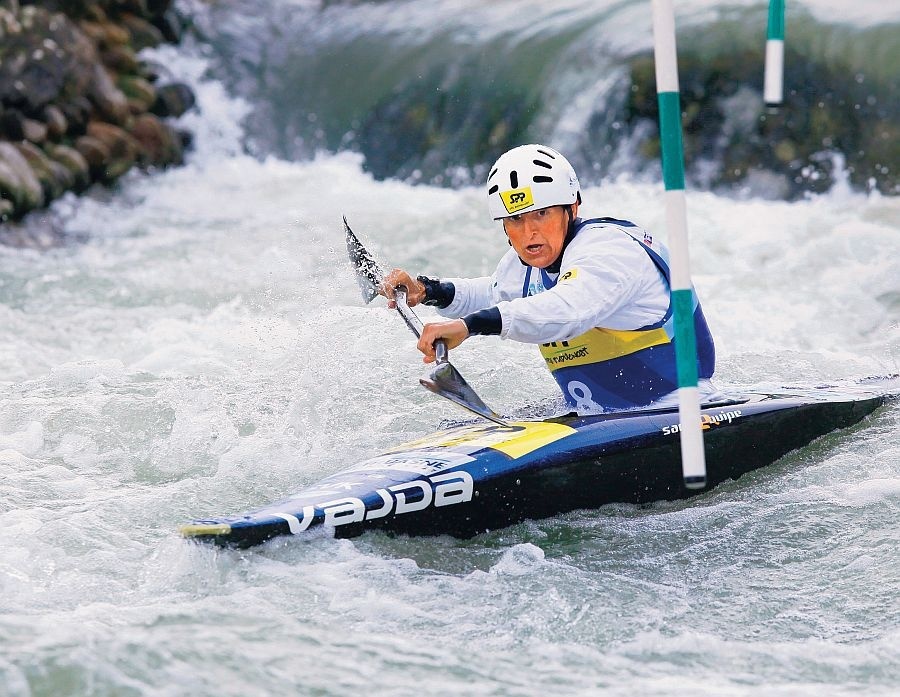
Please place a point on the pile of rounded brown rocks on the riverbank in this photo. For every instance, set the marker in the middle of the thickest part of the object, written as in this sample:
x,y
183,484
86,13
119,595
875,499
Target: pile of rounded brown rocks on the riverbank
x,y
77,104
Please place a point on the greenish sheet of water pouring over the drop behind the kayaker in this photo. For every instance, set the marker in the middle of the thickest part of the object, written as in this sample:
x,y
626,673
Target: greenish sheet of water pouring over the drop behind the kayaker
x,y
435,90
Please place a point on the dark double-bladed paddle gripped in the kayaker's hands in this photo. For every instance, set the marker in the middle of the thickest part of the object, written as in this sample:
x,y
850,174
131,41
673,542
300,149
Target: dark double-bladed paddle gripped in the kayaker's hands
x,y
443,379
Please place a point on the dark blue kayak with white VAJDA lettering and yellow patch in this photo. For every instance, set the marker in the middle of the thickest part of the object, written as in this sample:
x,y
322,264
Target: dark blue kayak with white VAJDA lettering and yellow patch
x,y
482,476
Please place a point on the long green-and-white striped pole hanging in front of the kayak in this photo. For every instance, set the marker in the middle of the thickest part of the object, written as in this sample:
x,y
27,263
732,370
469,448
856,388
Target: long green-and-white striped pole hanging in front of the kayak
x,y
693,458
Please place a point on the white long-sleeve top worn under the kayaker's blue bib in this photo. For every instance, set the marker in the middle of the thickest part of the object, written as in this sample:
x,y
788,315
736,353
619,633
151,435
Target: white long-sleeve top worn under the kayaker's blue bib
x,y
613,284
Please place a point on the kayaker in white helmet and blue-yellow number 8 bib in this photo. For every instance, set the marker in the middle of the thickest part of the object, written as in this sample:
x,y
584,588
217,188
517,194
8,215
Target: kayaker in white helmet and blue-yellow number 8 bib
x,y
595,294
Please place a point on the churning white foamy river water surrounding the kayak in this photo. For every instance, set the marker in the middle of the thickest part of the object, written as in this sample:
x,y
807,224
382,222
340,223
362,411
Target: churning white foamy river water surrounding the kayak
x,y
200,349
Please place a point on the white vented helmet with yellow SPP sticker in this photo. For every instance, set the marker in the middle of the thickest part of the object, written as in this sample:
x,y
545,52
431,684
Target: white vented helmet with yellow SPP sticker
x,y
529,178
